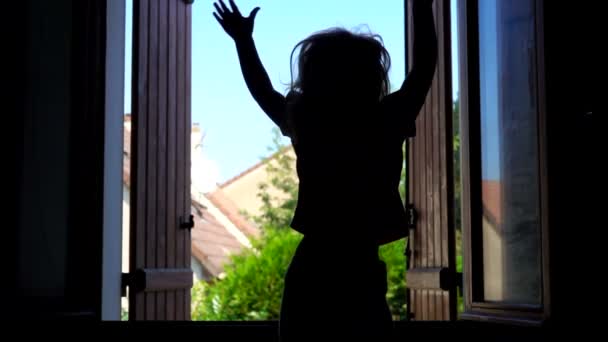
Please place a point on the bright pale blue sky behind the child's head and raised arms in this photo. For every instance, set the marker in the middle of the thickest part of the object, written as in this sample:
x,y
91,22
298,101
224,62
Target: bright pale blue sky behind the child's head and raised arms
x,y
237,132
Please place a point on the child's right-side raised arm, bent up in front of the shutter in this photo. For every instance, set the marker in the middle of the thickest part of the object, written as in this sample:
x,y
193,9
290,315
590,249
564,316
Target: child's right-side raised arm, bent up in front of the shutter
x,y
407,101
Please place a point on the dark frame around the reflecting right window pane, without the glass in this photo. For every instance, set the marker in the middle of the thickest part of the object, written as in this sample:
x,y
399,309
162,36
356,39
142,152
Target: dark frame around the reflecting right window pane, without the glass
x,y
475,307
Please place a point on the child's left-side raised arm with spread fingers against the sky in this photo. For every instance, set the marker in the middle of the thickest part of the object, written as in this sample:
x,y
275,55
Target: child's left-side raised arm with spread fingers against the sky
x,y
241,29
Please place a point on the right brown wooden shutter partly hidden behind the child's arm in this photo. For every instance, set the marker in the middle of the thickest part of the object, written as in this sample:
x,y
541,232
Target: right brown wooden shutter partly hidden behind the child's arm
x,y
431,268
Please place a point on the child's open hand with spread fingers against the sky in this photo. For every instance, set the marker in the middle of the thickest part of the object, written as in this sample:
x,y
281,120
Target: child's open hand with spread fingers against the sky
x,y
237,26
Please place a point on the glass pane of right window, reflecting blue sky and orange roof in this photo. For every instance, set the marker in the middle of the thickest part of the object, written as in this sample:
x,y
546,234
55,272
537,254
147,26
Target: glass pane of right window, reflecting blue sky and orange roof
x,y
509,152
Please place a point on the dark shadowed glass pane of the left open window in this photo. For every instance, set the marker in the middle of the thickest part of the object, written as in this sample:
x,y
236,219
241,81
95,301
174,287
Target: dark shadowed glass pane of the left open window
x,y
43,234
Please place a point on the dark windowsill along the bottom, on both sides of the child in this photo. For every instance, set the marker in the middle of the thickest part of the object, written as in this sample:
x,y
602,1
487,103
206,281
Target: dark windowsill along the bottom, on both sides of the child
x,y
268,330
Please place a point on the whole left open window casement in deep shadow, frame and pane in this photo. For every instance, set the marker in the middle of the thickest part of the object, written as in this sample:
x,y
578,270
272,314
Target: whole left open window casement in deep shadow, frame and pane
x,y
59,106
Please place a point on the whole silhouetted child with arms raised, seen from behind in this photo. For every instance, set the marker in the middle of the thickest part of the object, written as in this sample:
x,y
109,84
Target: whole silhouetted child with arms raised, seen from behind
x,y
347,132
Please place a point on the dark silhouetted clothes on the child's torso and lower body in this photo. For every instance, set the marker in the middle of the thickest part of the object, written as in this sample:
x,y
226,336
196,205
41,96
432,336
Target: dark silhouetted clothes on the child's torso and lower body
x,y
348,205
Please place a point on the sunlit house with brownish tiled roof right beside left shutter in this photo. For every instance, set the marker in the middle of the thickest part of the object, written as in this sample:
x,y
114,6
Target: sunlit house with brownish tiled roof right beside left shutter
x,y
219,229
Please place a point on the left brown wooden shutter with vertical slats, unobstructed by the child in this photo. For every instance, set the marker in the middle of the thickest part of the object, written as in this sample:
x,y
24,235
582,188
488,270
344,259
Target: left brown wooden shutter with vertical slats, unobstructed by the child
x,y
161,277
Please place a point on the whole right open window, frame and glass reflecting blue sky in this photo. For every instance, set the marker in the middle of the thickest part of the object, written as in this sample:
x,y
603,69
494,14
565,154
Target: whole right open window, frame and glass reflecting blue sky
x,y
502,113
